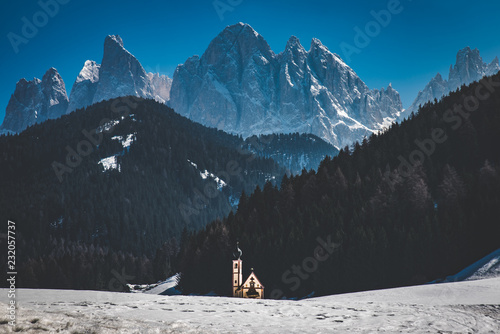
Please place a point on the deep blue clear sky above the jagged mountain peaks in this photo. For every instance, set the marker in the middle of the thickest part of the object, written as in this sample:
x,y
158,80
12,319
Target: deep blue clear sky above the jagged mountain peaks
x,y
421,39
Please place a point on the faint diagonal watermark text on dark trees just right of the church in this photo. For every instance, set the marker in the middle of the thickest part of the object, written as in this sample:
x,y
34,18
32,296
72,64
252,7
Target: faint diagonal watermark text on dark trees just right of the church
x,y
299,273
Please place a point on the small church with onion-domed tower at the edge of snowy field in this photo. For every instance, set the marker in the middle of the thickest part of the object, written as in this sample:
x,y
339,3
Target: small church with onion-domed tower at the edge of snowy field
x,y
251,288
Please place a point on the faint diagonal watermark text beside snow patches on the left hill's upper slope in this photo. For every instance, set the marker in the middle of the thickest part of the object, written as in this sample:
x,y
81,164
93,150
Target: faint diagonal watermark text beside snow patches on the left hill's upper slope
x,y
122,107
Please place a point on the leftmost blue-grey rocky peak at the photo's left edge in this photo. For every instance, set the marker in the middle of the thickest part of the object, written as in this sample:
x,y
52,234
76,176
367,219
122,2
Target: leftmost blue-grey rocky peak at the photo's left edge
x,y
35,101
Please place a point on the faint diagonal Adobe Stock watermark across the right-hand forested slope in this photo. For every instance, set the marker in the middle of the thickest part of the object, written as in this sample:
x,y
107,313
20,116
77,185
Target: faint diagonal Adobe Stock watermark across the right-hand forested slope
x,y
455,117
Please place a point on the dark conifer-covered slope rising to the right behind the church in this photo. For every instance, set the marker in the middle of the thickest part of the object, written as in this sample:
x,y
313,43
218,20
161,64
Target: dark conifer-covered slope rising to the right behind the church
x,y
413,204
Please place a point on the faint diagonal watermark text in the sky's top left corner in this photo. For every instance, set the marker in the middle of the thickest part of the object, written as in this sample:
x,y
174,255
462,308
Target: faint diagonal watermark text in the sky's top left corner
x,y
48,9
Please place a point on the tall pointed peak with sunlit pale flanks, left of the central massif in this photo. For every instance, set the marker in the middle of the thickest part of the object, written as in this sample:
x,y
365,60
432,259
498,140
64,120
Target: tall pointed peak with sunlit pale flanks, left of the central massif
x,y
119,74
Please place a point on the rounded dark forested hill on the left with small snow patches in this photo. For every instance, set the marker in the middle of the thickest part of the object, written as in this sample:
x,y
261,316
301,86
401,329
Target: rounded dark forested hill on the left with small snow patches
x,y
100,197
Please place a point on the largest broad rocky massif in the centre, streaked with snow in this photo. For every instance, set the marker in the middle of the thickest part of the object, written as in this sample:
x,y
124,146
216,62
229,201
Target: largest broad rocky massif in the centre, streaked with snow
x,y
241,86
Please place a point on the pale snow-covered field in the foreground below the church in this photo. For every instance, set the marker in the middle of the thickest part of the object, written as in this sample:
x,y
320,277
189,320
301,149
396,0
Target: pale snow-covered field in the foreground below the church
x,y
460,307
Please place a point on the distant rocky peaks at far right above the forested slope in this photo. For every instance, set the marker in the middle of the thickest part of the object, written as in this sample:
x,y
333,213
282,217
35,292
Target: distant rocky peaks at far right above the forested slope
x,y
469,67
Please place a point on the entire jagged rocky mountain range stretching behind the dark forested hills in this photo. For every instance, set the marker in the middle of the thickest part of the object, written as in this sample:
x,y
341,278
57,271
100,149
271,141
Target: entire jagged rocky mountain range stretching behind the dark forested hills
x,y
241,86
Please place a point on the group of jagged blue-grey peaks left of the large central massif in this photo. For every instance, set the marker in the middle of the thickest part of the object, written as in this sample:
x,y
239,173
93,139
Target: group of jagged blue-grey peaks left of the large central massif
x,y
119,74
